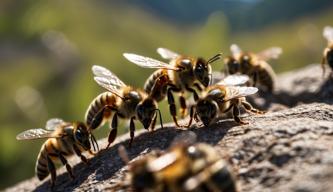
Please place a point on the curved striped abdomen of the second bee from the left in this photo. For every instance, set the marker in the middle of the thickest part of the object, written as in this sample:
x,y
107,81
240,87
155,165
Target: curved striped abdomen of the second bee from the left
x,y
102,100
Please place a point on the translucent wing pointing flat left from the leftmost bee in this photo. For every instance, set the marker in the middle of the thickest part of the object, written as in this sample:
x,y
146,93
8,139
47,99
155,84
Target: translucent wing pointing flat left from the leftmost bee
x,y
38,133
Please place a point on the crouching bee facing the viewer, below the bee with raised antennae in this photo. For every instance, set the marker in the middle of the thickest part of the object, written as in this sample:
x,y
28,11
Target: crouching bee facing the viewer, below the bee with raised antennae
x,y
221,98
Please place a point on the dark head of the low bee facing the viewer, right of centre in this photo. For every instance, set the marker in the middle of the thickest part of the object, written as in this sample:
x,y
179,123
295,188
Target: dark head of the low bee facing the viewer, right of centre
x,y
206,110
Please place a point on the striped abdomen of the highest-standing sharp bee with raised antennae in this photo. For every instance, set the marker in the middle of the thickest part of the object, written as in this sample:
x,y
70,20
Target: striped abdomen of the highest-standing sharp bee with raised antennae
x,y
156,84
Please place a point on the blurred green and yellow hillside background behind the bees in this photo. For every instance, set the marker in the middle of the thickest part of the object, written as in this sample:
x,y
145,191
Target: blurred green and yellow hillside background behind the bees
x,y
48,47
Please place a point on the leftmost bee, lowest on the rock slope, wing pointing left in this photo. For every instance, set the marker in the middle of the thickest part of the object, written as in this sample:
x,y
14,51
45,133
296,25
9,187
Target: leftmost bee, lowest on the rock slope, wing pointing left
x,y
63,140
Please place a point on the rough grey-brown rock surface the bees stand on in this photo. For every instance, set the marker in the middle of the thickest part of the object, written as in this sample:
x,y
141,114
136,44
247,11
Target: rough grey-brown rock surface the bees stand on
x,y
287,149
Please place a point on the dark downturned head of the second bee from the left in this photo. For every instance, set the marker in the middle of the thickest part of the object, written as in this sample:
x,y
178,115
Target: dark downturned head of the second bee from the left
x,y
146,111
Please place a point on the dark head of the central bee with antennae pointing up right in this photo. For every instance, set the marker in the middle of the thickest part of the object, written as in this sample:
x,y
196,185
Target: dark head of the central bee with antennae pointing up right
x,y
202,71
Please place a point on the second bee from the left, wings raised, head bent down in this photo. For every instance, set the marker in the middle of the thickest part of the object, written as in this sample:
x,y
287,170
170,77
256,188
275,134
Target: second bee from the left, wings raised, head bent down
x,y
125,101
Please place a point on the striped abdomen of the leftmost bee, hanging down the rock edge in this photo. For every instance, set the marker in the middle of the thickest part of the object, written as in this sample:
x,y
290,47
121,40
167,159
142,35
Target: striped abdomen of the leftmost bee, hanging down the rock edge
x,y
50,149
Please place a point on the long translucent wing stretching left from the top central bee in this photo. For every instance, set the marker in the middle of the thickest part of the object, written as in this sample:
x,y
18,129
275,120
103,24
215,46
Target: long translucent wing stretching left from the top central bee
x,y
147,62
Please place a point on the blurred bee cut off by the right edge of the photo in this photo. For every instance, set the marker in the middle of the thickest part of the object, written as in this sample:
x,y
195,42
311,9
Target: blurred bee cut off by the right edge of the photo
x,y
328,51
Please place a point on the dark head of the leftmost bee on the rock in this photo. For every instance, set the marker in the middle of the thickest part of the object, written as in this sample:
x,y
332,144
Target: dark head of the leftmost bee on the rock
x,y
82,135
